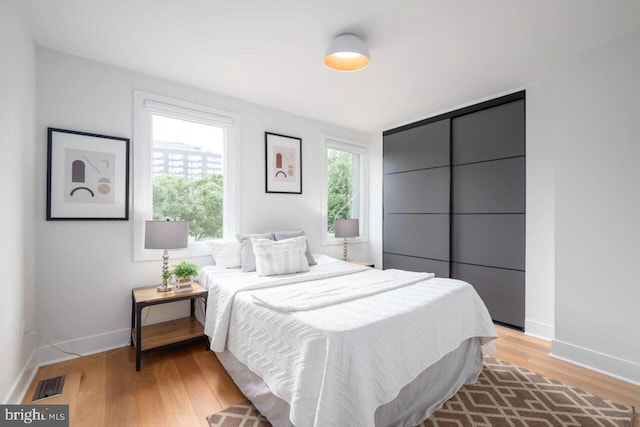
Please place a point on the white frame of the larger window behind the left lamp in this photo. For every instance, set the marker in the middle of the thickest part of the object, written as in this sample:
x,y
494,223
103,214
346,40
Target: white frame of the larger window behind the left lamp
x,y
145,105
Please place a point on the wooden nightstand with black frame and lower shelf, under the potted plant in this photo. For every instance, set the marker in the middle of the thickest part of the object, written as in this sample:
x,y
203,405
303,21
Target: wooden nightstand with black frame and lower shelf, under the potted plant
x,y
165,333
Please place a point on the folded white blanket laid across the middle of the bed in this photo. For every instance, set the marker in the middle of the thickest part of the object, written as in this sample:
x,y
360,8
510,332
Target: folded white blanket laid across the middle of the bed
x,y
322,293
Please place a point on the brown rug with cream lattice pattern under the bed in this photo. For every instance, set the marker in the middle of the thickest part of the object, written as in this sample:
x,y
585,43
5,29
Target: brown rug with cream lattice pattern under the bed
x,y
505,395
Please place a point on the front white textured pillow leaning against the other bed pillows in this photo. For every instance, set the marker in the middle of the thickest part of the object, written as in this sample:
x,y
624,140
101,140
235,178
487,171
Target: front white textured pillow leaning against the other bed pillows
x,y
274,257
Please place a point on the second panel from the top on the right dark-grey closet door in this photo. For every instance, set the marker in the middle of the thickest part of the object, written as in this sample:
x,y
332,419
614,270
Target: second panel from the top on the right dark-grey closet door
x,y
490,187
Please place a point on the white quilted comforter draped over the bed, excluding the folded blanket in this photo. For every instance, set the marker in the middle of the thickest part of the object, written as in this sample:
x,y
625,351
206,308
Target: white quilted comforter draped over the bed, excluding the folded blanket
x,y
335,365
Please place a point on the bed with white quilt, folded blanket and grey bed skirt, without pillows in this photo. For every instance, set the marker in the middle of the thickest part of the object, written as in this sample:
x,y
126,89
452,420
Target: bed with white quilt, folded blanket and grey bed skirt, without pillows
x,y
387,351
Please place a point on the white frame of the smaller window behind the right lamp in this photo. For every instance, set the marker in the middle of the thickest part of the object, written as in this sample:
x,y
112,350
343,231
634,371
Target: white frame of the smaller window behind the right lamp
x,y
354,147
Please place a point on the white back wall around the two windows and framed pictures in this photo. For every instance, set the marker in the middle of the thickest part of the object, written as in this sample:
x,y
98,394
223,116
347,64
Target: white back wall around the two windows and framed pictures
x,y
84,269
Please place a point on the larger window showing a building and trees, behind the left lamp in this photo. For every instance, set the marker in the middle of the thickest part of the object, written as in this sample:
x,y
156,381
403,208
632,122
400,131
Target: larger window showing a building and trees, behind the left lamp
x,y
184,170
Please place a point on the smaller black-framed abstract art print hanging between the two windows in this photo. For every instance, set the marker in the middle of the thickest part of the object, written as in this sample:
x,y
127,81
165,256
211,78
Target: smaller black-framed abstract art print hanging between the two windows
x,y
283,163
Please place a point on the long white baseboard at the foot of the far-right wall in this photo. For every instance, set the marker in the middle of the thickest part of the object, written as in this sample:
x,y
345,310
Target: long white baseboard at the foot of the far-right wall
x,y
600,362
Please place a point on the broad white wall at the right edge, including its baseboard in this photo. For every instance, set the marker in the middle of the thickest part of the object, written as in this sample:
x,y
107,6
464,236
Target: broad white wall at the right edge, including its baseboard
x,y
597,208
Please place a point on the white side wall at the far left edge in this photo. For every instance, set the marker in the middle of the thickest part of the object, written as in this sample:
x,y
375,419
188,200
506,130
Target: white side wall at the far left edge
x,y
17,252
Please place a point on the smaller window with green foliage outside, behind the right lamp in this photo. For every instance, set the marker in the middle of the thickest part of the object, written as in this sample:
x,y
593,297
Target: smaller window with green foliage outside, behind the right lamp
x,y
344,186
